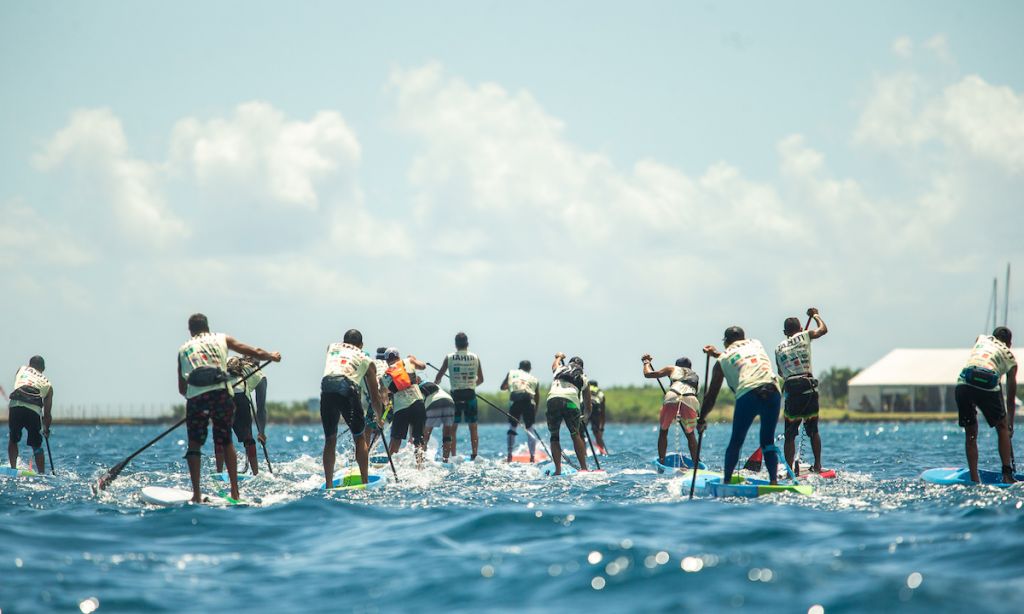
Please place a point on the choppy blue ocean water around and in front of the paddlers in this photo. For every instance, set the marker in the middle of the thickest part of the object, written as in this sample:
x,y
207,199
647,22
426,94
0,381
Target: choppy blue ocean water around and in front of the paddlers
x,y
497,538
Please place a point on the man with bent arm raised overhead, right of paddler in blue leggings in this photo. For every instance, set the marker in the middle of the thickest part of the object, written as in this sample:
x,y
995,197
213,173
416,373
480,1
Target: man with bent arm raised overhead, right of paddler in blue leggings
x,y
800,389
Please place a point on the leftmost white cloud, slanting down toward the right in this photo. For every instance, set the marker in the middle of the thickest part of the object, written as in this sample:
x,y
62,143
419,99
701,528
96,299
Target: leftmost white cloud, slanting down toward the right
x,y
94,145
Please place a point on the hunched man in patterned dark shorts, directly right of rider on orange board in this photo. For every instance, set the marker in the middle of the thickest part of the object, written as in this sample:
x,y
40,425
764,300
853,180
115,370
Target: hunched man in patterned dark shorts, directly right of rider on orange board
x,y
569,391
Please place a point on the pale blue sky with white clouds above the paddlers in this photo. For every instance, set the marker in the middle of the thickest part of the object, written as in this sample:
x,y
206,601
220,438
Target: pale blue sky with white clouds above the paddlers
x,y
599,179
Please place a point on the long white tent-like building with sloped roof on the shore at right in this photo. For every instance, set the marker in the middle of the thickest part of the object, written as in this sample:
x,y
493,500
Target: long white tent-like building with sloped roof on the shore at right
x,y
912,380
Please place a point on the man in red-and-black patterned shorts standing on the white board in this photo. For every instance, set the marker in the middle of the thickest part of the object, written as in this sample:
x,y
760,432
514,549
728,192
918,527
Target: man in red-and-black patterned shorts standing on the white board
x,y
203,380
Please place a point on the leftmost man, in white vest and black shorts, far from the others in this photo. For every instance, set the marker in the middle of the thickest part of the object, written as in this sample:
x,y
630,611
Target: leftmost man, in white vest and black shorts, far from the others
x,y
31,402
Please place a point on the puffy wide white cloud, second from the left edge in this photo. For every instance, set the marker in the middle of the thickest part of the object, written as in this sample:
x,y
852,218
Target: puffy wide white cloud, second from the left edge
x,y
261,154
